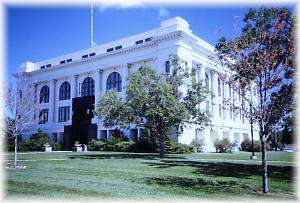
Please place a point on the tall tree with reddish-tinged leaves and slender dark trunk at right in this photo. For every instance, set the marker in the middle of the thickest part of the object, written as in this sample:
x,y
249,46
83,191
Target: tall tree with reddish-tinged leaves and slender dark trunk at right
x,y
264,52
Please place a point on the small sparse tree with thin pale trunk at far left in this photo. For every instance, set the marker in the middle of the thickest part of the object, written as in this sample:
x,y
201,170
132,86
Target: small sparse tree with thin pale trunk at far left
x,y
19,110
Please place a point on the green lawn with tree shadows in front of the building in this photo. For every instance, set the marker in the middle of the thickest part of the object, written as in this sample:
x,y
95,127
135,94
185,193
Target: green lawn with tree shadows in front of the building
x,y
144,176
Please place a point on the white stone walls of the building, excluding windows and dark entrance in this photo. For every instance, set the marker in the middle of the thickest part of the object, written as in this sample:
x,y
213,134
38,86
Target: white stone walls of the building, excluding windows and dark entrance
x,y
173,37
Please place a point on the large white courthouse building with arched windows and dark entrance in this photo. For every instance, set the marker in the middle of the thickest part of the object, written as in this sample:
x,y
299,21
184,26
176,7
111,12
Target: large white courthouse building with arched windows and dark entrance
x,y
68,87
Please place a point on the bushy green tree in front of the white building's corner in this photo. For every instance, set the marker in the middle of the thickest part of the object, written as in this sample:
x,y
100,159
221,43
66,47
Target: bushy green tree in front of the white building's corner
x,y
156,102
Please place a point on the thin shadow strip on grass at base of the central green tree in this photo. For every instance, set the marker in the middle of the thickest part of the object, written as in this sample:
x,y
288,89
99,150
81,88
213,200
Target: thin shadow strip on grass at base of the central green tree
x,y
122,156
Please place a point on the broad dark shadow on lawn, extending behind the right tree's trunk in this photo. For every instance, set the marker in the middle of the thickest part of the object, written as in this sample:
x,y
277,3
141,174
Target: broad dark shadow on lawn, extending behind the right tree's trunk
x,y
281,173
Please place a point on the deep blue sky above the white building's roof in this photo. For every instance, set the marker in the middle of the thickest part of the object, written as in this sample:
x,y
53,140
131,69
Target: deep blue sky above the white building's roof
x,y
38,33
